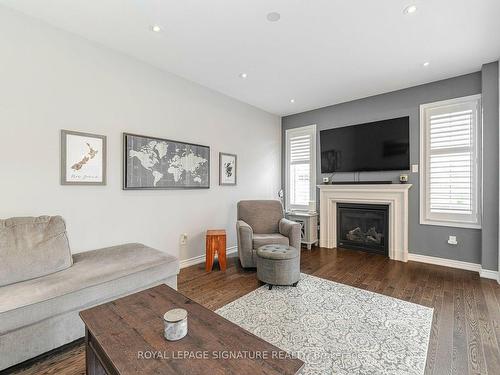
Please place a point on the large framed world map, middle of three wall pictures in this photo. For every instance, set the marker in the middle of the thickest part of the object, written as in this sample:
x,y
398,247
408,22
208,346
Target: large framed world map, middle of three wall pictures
x,y
157,163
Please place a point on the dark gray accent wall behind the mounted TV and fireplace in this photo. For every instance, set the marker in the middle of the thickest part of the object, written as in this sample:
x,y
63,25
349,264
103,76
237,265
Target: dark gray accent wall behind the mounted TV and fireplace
x,y
423,239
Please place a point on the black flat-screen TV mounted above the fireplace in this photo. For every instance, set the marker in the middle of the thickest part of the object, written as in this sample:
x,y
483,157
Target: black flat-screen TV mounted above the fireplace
x,y
374,146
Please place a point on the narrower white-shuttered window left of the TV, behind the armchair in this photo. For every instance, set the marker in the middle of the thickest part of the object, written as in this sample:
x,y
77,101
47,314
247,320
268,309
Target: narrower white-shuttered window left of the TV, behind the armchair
x,y
300,167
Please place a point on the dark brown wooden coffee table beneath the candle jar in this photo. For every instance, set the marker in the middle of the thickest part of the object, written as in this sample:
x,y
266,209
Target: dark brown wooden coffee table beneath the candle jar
x,y
126,337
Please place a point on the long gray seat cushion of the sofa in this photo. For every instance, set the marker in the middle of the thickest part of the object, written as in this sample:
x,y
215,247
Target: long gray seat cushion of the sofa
x,y
95,277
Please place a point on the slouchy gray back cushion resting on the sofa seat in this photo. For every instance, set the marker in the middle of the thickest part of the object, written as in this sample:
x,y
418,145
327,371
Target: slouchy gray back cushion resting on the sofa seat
x,y
32,247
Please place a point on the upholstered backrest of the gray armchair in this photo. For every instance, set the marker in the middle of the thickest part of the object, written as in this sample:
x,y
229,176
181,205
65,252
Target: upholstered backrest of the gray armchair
x,y
262,215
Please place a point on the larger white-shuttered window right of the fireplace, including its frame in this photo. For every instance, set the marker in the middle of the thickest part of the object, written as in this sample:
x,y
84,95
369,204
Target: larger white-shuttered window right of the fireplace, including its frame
x,y
450,135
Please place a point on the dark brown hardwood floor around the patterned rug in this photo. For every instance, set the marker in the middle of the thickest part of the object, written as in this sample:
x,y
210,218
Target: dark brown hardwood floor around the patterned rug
x,y
465,333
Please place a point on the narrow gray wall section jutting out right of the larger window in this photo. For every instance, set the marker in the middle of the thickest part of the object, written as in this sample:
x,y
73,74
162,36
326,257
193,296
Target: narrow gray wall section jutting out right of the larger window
x,y
489,235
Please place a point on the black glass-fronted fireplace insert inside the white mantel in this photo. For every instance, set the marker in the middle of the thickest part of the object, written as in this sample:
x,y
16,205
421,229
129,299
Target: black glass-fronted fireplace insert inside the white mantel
x,y
363,227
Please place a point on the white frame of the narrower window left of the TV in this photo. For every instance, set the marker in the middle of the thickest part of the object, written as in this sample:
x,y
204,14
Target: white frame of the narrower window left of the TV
x,y
309,130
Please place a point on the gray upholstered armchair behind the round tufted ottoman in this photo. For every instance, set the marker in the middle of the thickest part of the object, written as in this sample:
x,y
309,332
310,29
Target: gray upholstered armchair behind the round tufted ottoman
x,y
262,222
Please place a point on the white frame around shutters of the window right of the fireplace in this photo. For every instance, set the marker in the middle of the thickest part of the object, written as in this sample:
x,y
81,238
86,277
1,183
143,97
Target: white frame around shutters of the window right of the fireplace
x,y
443,219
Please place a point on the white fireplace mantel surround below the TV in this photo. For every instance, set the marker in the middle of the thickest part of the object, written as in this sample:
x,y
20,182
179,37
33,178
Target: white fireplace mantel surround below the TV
x,y
393,195
